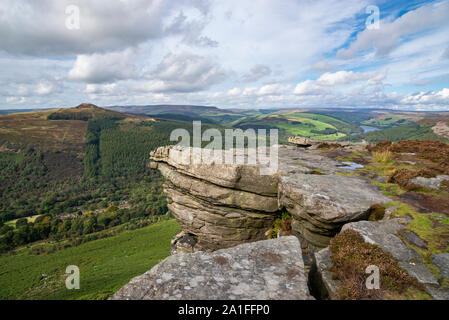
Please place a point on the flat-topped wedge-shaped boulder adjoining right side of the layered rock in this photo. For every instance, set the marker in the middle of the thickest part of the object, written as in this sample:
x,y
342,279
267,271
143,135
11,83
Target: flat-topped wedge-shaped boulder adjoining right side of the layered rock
x,y
322,204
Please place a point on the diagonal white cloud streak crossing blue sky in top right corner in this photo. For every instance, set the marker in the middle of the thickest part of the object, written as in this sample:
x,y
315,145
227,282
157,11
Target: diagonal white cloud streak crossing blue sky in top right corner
x,y
387,37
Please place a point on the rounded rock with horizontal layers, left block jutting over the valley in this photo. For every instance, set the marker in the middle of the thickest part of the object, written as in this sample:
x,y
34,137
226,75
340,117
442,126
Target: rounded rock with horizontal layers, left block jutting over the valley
x,y
221,205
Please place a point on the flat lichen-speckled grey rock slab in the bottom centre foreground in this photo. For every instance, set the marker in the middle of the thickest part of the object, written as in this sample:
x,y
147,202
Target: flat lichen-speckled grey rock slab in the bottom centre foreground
x,y
270,269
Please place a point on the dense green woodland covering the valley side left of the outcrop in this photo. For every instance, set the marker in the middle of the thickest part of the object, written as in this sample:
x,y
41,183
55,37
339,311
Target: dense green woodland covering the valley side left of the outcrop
x,y
111,186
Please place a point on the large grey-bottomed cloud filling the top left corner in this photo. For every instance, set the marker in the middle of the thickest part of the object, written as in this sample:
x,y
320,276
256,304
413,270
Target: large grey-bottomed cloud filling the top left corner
x,y
38,28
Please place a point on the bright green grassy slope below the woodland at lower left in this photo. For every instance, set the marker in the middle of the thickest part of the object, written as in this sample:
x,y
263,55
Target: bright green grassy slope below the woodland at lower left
x,y
105,265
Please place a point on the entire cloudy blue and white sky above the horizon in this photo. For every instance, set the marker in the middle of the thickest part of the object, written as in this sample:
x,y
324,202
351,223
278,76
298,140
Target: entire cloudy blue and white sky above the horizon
x,y
229,54
